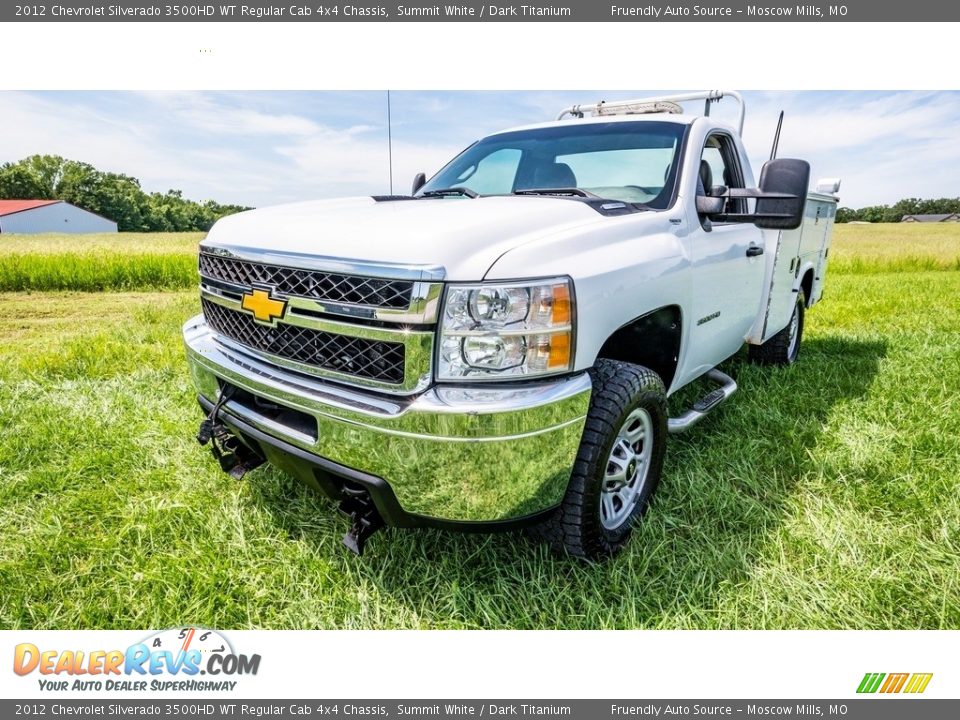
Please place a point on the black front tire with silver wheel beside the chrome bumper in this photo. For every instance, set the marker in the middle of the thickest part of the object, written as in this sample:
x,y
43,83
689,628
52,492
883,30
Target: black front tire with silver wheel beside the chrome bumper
x,y
618,464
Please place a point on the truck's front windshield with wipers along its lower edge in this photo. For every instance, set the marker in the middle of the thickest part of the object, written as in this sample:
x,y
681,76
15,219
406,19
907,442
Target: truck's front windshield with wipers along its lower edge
x,y
633,162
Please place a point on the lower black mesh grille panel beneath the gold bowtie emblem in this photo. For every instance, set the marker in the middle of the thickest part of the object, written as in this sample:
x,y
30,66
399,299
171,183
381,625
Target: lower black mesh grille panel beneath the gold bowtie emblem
x,y
359,357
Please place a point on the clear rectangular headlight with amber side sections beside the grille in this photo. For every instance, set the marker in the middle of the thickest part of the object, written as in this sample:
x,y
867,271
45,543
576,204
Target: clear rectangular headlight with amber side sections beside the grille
x,y
506,330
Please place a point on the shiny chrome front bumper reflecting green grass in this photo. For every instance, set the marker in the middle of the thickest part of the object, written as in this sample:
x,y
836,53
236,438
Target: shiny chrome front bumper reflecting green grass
x,y
452,453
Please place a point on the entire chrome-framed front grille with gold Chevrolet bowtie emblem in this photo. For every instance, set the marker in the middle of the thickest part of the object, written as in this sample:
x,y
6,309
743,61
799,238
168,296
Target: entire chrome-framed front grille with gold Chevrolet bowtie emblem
x,y
356,323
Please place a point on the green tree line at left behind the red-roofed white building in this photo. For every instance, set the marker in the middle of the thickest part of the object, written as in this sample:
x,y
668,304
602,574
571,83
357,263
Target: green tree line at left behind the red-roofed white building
x,y
113,195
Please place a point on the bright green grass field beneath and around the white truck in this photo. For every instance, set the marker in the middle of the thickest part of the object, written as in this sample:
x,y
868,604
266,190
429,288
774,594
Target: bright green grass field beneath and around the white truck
x,y
826,495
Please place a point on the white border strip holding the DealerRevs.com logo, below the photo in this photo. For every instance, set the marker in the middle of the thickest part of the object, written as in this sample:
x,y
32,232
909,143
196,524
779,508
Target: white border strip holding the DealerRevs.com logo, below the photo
x,y
389,664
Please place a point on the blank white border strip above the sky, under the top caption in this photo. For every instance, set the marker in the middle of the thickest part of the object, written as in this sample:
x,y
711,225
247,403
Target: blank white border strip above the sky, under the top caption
x,y
544,56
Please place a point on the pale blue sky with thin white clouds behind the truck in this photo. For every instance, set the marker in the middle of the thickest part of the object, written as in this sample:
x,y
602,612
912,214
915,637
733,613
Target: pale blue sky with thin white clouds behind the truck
x,y
265,148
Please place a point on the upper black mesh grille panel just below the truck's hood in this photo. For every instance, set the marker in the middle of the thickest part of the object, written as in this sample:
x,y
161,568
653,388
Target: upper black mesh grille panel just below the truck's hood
x,y
312,284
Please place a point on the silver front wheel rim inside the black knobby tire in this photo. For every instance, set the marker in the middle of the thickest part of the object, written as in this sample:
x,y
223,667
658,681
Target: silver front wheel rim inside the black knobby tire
x,y
626,470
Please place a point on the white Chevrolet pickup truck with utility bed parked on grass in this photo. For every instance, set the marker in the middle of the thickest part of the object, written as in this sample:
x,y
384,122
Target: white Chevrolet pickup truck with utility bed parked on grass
x,y
496,349
